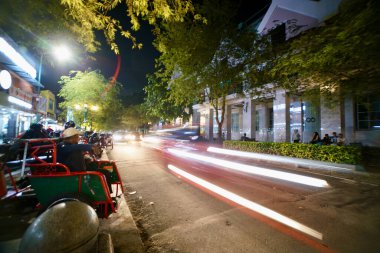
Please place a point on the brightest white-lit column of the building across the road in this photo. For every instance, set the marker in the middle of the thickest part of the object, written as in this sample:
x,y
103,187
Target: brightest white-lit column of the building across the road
x,y
281,117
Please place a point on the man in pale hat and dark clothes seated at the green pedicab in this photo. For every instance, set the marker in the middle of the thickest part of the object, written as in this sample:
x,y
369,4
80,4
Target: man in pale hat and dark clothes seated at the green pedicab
x,y
71,154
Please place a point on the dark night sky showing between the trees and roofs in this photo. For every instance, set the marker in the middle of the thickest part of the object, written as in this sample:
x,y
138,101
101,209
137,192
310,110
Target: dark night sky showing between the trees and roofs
x,y
135,64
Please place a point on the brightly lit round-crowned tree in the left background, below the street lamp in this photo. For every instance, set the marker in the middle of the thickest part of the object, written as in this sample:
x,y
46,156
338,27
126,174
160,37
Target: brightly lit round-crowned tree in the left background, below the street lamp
x,y
87,88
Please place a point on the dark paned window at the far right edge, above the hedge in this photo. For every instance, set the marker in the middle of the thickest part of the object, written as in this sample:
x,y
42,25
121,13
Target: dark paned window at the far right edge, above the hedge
x,y
368,114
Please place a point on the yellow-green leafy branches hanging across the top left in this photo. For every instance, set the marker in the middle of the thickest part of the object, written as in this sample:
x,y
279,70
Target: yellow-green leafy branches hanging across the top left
x,y
83,18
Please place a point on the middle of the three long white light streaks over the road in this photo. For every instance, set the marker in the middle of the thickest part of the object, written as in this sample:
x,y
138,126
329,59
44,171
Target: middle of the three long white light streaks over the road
x,y
291,177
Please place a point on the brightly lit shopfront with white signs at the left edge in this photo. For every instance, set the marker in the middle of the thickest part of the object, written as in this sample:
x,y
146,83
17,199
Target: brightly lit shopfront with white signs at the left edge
x,y
18,91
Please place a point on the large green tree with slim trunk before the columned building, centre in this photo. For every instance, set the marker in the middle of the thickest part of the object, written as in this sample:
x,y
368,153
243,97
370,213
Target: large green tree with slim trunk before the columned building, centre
x,y
203,60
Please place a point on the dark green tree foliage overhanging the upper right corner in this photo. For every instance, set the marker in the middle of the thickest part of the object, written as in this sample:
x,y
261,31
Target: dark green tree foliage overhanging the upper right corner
x,y
340,56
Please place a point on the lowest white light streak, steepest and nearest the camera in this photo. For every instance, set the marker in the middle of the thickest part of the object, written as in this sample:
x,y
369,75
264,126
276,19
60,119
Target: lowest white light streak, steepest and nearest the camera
x,y
248,204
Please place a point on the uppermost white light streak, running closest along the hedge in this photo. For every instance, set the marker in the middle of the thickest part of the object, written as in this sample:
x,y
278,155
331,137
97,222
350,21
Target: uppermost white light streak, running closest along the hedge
x,y
268,157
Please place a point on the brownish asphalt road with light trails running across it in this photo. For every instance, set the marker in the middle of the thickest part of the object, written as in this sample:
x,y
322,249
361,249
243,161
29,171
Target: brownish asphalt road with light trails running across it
x,y
175,214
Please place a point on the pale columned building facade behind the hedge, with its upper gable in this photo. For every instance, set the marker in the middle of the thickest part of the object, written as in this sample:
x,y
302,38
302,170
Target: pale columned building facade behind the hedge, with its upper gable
x,y
276,116
